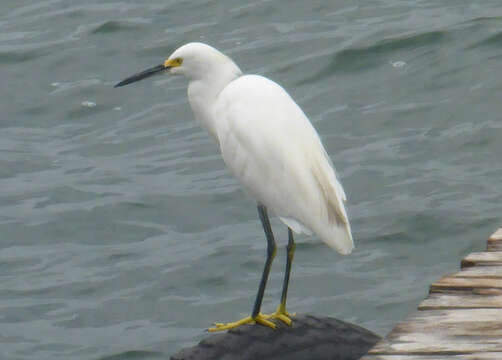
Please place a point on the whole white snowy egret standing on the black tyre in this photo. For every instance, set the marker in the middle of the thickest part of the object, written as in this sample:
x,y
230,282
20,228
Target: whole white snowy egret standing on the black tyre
x,y
271,147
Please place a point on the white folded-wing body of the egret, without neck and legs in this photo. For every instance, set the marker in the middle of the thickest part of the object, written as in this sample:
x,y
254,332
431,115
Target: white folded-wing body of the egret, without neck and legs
x,y
272,149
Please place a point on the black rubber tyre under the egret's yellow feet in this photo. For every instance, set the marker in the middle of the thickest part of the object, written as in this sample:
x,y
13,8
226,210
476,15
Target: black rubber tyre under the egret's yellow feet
x,y
310,337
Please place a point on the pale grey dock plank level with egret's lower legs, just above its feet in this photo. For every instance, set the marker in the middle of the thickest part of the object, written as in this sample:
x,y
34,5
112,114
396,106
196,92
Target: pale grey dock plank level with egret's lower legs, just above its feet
x,y
441,301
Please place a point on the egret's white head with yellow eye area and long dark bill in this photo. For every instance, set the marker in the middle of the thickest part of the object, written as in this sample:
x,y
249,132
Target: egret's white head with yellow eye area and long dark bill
x,y
194,60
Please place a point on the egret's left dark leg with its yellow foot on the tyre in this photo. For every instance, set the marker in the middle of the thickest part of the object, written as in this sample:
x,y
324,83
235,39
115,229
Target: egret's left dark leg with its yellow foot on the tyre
x,y
256,316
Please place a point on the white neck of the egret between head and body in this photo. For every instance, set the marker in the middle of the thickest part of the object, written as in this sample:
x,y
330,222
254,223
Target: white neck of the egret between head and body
x,y
203,93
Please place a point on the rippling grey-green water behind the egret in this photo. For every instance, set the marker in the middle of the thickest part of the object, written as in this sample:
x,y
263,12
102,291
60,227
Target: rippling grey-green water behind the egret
x,y
123,235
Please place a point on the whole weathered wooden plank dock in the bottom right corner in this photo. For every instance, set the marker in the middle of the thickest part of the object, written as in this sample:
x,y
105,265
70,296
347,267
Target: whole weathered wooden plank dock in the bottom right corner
x,y
460,319
